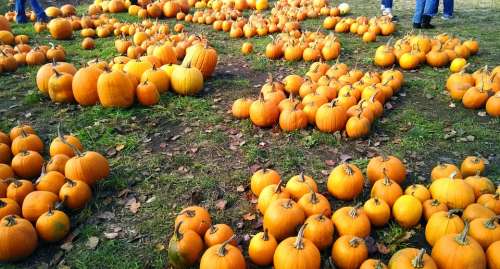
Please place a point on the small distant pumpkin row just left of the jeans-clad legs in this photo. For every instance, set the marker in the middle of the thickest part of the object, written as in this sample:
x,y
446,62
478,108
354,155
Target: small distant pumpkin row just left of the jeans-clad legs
x,y
367,29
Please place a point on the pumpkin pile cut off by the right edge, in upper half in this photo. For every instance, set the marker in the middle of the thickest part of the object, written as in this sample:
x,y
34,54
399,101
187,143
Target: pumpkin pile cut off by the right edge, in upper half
x,y
481,89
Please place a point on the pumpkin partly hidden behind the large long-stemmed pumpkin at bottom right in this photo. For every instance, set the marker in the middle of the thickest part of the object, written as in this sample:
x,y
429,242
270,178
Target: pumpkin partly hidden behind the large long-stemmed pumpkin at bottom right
x,y
441,224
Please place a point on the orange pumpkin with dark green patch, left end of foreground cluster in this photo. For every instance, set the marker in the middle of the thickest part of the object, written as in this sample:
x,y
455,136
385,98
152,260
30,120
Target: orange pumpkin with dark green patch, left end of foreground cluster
x,y
184,248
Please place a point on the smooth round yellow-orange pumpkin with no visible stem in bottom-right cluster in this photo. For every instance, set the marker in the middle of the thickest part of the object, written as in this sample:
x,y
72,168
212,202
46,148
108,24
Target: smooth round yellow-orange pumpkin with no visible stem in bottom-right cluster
x,y
407,211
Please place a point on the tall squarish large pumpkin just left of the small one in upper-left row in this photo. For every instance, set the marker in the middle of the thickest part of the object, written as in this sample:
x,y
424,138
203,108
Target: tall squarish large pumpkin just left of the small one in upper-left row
x,y
115,89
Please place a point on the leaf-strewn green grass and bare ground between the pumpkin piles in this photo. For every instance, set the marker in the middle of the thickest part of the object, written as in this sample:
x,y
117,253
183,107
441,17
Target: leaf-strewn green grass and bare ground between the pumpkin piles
x,y
190,150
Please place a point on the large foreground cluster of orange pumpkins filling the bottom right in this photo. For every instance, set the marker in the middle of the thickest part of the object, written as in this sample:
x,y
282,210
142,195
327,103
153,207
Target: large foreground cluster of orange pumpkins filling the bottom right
x,y
472,239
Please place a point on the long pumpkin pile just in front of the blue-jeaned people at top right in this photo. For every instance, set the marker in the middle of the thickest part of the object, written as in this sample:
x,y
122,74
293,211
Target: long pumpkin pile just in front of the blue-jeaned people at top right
x,y
413,50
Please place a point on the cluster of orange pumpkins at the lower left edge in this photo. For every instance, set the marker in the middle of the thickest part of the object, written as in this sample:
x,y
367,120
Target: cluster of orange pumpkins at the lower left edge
x,y
33,195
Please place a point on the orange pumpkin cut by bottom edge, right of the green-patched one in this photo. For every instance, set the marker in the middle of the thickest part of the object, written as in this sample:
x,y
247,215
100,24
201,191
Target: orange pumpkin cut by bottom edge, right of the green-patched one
x,y
222,256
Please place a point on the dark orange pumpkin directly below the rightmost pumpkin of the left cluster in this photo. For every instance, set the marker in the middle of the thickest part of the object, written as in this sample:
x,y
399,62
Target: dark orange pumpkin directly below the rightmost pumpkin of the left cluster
x,y
75,194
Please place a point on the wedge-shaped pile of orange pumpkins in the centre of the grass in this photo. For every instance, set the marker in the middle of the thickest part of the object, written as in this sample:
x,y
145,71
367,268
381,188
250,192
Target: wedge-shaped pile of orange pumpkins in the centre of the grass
x,y
333,98
